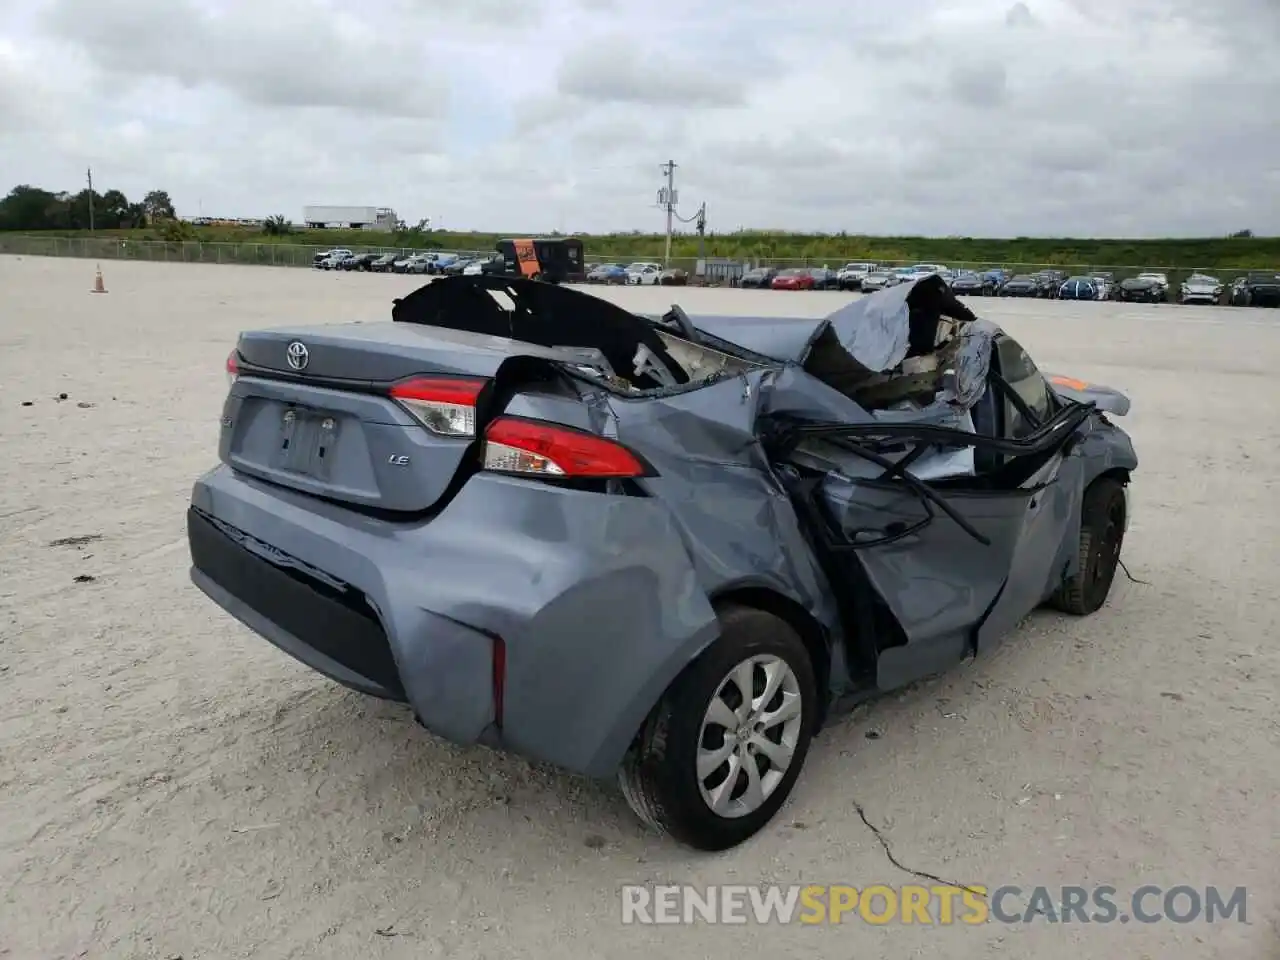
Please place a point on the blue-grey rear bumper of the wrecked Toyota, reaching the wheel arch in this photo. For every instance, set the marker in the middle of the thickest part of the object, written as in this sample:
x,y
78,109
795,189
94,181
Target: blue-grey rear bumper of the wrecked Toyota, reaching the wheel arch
x,y
595,598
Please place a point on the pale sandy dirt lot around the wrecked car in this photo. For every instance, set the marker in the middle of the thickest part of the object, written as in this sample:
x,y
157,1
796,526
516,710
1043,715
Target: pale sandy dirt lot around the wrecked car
x,y
173,787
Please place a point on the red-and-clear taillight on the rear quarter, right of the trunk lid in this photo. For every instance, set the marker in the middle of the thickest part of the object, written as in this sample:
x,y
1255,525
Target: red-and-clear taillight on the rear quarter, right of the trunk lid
x,y
534,449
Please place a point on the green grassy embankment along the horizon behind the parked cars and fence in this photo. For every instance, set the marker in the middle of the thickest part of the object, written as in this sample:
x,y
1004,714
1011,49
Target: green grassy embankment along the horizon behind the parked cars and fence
x,y
1212,254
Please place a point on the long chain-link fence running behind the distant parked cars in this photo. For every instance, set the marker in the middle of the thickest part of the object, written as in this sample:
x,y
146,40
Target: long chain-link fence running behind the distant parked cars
x,y
305,255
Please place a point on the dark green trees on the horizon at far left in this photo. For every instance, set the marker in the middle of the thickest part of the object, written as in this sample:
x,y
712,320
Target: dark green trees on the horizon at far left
x,y
29,208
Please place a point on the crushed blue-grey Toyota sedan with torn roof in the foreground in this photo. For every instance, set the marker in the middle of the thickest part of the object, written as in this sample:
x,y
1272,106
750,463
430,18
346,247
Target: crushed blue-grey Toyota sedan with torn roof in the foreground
x,y
662,548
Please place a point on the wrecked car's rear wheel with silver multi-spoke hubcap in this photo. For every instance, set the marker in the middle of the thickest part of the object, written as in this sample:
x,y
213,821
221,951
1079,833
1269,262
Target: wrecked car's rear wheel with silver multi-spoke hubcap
x,y
721,752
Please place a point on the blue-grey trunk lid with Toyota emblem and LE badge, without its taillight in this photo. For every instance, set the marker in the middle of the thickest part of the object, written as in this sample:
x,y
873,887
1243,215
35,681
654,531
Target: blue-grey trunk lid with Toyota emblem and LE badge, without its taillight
x,y
331,428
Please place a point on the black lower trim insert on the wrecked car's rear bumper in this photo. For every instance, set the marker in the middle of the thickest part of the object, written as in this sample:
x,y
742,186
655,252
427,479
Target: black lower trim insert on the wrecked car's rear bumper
x,y
336,623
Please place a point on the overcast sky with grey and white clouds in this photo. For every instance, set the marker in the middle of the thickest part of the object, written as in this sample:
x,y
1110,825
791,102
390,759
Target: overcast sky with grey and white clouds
x,y
936,117
